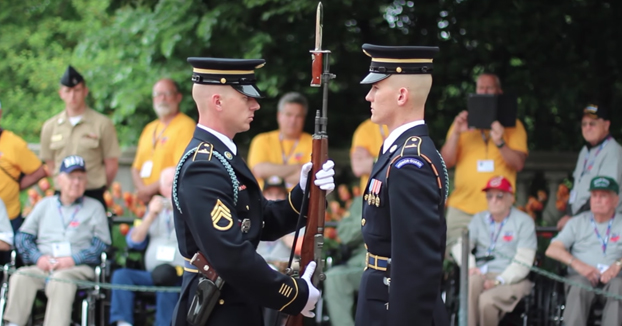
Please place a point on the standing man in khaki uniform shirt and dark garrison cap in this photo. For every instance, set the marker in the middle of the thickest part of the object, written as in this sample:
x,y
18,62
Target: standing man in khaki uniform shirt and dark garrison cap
x,y
79,130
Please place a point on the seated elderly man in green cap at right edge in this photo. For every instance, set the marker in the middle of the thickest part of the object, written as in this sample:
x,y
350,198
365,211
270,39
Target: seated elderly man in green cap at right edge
x,y
590,245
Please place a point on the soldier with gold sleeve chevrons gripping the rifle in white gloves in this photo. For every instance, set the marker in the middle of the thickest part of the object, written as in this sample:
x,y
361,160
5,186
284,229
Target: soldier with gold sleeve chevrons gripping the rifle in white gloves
x,y
220,210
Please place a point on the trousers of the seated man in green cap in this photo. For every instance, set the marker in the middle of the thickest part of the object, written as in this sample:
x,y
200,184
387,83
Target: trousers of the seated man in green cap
x,y
579,303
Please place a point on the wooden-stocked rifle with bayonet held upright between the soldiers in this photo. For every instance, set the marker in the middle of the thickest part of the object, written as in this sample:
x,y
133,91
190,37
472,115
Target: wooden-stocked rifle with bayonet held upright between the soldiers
x,y
314,203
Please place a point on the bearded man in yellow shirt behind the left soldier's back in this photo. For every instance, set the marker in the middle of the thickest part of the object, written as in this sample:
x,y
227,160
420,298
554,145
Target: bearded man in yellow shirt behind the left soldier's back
x,y
162,141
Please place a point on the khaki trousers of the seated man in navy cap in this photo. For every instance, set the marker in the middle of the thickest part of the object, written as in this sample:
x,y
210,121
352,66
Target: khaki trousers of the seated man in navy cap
x,y
23,289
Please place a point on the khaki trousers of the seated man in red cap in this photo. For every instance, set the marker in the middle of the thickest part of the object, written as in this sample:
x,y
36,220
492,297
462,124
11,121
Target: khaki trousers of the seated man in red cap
x,y
486,308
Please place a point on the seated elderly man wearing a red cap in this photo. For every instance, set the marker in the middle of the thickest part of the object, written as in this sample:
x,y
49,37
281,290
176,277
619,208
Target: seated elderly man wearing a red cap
x,y
499,234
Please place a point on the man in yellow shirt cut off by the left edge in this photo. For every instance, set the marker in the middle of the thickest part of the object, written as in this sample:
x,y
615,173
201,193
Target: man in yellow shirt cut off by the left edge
x,y
20,168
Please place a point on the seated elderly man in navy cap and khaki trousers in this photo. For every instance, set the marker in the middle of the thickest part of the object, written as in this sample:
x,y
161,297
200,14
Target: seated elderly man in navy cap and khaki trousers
x,y
64,236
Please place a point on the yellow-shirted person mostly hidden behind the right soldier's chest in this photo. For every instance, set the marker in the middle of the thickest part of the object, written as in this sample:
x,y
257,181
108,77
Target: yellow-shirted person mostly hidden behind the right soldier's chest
x,y
366,142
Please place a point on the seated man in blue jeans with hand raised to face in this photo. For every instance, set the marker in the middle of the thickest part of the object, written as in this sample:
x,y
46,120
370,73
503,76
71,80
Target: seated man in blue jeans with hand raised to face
x,y
162,259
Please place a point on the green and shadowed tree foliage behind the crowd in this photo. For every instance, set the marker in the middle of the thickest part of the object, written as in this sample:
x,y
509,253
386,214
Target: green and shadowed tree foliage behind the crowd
x,y
556,55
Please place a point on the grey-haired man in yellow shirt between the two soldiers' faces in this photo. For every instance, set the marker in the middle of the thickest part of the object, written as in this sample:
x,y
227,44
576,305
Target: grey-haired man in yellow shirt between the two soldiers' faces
x,y
282,152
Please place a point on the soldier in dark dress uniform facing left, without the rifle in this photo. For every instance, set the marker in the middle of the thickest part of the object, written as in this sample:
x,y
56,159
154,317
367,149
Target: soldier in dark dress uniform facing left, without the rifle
x,y
403,204
